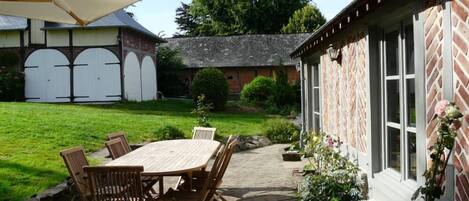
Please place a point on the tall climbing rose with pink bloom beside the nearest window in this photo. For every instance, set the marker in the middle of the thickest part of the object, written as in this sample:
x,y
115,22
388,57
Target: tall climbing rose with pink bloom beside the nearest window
x,y
449,117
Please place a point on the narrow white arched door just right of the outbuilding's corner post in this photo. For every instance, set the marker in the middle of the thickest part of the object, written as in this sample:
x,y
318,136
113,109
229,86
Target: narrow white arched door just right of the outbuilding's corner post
x,y
132,78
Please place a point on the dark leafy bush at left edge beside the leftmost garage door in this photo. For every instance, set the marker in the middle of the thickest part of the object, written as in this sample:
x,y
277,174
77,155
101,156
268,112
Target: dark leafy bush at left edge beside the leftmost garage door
x,y
11,81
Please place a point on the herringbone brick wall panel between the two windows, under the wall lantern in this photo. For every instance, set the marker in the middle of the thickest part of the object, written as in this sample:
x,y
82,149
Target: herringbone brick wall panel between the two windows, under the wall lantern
x,y
344,92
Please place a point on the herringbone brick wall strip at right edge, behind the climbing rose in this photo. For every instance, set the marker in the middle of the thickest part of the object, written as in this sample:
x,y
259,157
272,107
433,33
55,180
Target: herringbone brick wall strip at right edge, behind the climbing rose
x,y
460,25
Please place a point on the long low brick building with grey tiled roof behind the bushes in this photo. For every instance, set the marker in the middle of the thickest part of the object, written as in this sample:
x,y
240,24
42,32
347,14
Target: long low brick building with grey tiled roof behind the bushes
x,y
240,58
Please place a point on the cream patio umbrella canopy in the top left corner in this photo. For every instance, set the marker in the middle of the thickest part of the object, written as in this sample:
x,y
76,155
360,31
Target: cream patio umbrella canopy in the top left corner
x,y
81,12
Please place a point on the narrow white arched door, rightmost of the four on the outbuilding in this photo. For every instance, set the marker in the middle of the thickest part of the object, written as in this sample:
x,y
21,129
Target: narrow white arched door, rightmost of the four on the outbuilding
x,y
148,79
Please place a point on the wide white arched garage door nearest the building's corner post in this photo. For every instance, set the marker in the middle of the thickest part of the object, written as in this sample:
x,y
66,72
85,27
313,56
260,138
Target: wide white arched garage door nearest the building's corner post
x,y
96,76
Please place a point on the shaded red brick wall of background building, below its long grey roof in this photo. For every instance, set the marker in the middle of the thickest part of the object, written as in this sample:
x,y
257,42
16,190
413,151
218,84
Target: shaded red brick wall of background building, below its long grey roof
x,y
237,77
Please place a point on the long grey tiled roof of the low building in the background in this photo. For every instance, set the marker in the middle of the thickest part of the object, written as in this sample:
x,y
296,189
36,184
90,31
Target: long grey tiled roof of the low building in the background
x,y
237,51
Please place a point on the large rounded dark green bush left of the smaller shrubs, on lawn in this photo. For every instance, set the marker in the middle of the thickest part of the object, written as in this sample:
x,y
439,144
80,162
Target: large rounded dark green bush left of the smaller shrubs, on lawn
x,y
211,82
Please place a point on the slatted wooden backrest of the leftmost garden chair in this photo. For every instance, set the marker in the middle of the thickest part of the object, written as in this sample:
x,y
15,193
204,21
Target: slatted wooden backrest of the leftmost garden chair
x,y
75,160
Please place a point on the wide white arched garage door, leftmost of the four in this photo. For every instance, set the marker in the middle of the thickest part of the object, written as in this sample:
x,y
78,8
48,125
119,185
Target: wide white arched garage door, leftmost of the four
x,y
47,77
